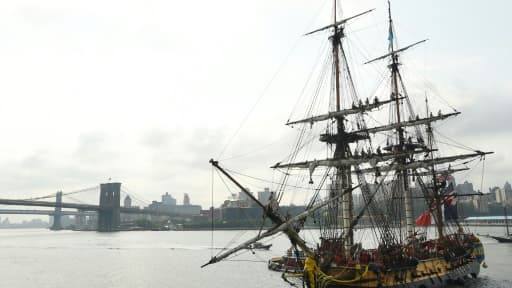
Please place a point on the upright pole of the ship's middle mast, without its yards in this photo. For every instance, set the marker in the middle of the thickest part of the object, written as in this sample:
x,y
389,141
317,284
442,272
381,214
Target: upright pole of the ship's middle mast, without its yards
x,y
403,179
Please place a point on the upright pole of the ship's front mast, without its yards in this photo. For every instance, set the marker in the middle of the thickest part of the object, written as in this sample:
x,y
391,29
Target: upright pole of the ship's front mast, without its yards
x,y
343,176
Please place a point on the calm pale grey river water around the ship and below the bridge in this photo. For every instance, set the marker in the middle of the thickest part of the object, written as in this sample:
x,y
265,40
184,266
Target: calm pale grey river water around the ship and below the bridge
x,y
42,258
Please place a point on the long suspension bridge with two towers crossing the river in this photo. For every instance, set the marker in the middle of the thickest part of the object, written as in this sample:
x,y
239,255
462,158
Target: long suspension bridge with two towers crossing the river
x,y
108,211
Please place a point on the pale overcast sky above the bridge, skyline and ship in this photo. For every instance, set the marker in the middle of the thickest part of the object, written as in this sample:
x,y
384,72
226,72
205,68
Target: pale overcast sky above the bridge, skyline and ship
x,y
146,92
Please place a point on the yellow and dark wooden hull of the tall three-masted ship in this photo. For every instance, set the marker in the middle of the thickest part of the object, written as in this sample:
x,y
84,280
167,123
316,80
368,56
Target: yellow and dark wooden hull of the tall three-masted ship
x,y
425,273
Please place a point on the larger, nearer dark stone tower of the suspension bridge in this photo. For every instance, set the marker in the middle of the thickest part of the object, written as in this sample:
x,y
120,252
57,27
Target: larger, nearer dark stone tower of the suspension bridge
x,y
109,214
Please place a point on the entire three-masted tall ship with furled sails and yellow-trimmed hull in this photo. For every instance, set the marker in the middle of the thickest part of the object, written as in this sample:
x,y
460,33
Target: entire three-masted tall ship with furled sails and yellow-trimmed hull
x,y
407,254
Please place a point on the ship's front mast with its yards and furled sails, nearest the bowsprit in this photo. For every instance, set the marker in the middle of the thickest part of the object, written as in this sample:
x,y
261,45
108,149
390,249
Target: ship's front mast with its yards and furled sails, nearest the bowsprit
x,y
337,136
